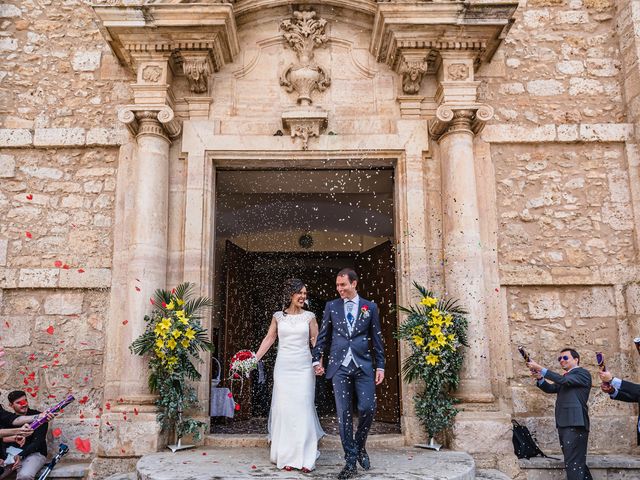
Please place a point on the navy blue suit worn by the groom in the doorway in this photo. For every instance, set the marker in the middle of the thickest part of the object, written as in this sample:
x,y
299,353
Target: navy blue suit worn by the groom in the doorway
x,y
358,378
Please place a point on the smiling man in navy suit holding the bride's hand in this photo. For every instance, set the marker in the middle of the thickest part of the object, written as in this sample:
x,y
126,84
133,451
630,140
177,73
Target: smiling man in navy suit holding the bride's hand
x,y
348,324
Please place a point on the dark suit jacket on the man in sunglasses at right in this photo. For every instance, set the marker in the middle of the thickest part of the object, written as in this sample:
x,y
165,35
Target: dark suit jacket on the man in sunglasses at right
x,y
573,391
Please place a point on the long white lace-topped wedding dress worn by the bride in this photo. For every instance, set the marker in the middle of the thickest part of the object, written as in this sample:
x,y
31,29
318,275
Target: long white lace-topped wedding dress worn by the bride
x,y
294,428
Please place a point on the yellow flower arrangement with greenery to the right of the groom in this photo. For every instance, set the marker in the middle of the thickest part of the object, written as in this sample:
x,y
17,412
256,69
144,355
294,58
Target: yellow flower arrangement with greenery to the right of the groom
x,y
436,330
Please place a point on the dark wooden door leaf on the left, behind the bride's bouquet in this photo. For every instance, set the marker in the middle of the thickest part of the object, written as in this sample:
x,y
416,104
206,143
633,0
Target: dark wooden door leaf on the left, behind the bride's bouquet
x,y
237,321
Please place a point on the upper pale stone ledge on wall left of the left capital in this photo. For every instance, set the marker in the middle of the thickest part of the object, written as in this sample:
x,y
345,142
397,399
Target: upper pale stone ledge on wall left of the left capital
x,y
62,137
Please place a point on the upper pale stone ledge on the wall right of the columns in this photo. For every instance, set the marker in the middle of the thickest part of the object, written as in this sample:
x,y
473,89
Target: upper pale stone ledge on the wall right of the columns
x,y
558,133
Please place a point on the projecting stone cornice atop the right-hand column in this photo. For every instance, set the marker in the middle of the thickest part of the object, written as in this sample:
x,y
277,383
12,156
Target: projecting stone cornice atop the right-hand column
x,y
478,27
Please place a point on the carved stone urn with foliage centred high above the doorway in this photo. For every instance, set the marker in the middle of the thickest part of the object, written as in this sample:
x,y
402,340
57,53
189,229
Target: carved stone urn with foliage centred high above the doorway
x,y
303,33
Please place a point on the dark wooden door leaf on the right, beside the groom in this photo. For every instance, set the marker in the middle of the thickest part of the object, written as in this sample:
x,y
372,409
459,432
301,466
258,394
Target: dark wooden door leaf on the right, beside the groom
x,y
376,269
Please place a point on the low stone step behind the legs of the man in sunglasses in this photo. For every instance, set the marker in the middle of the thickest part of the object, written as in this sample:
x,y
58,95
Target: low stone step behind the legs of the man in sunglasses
x,y
603,467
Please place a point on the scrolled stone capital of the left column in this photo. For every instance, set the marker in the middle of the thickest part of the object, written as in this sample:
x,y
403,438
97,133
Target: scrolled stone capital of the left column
x,y
159,120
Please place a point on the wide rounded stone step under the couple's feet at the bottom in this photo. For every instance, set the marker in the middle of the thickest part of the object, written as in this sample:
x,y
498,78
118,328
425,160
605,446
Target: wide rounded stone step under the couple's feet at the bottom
x,y
208,463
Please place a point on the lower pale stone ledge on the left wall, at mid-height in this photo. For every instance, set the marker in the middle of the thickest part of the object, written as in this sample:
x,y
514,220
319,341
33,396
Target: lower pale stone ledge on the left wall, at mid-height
x,y
11,278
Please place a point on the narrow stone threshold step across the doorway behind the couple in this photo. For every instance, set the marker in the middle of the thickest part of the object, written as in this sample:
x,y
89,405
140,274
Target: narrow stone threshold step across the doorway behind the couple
x,y
329,441
